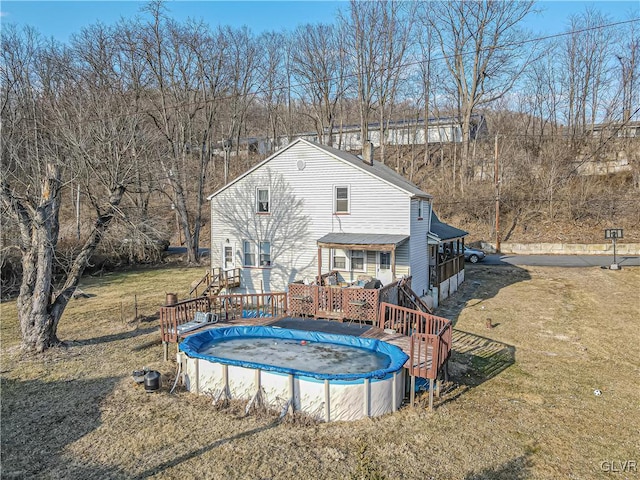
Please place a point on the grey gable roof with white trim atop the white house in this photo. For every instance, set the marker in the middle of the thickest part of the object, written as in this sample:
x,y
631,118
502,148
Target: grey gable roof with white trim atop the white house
x,y
378,169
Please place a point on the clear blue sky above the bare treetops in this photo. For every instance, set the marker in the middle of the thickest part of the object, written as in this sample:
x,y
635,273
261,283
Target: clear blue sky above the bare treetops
x,y
61,19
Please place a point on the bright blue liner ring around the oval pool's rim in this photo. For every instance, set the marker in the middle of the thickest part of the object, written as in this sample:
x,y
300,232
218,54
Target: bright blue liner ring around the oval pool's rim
x,y
193,344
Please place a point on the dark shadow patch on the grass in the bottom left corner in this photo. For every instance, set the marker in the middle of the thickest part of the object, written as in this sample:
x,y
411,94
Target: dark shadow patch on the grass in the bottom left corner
x,y
40,419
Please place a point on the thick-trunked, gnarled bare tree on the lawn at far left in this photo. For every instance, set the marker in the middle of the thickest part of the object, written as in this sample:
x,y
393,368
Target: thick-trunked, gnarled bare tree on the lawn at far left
x,y
56,130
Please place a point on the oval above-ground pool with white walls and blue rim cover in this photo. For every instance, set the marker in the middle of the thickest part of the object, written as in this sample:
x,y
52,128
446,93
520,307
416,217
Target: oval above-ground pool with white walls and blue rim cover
x,y
329,377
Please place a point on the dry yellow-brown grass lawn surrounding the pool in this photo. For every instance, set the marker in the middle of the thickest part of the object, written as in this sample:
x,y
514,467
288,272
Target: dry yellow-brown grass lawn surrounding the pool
x,y
521,404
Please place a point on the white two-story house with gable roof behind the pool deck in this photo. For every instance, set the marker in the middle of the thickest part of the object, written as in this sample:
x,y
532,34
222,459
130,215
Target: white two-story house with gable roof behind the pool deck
x,y
310,209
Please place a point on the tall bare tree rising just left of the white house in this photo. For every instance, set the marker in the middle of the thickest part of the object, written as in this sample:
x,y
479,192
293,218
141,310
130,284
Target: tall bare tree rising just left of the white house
x,y
185,68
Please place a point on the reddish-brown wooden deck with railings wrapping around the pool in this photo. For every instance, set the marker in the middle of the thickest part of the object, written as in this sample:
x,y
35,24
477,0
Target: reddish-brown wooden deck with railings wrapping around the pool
x,y
425,338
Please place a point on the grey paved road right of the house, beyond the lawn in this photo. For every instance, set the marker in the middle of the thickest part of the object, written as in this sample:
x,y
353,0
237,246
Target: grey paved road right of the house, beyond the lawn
x,y
562,260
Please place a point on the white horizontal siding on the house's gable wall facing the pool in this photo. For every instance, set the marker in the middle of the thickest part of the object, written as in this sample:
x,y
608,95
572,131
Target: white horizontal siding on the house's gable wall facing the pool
x,y
302,204
